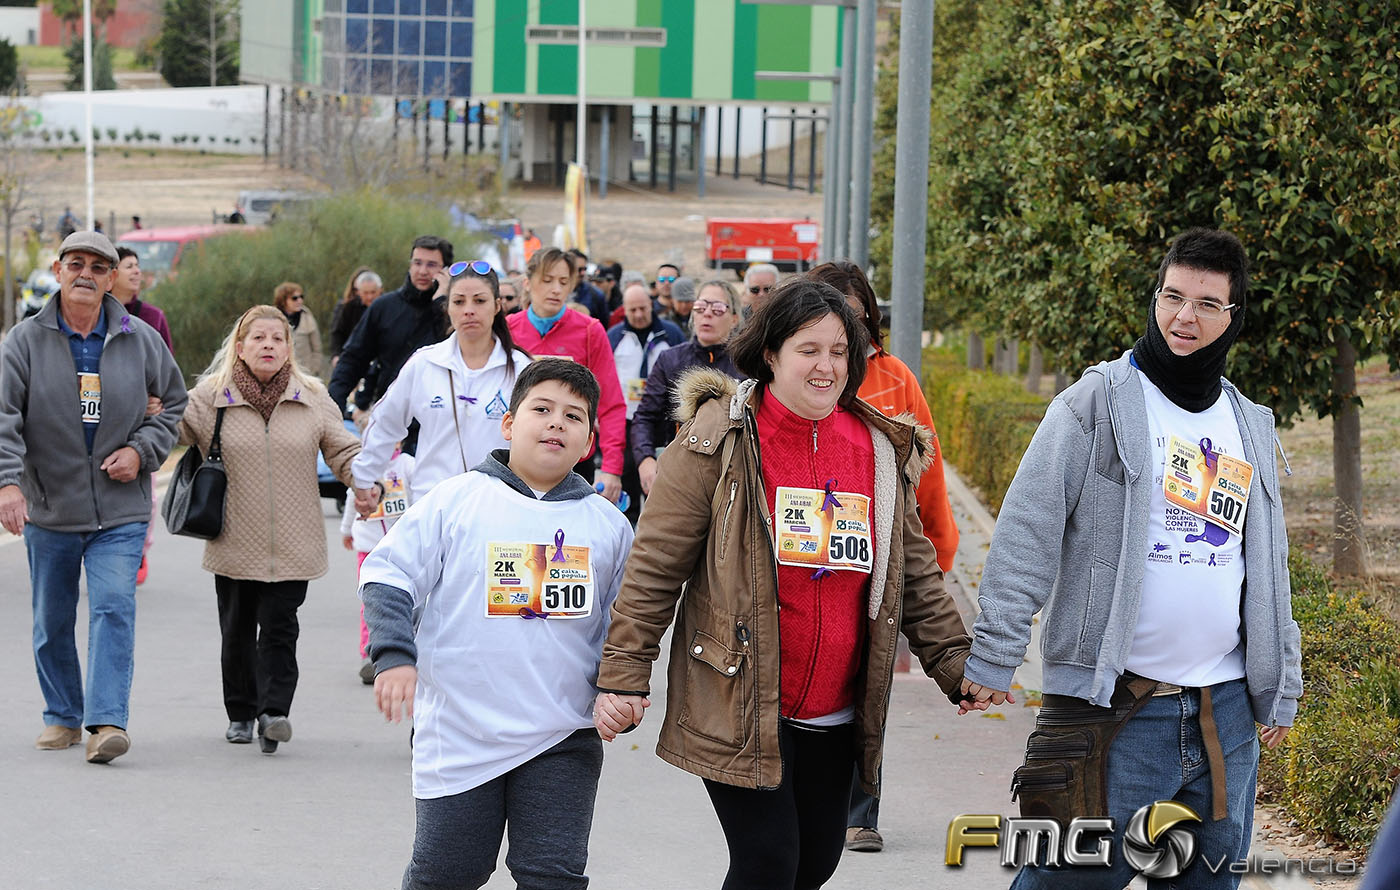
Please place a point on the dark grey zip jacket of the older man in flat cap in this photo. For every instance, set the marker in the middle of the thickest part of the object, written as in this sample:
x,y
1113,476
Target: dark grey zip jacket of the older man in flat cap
x,y
43,446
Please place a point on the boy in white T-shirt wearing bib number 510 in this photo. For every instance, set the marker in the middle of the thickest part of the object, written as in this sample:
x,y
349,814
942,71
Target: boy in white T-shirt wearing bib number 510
x,y
514,566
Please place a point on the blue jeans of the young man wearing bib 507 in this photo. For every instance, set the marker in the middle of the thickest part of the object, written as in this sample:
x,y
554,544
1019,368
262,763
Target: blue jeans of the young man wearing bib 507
x,y
1160,756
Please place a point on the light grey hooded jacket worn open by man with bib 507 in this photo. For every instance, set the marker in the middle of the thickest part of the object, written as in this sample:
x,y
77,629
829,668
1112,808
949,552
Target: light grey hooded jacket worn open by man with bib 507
x,y
1073,538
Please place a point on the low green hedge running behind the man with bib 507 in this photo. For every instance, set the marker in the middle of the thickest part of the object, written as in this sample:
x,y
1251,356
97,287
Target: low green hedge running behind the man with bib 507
x,y
1336,773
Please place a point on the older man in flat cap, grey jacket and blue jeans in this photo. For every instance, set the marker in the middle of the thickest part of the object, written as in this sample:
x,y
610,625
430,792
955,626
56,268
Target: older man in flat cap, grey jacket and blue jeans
x,y
76,444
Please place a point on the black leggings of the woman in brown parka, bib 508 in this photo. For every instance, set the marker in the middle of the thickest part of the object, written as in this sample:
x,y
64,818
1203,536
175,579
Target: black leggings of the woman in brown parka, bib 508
x,y
790,839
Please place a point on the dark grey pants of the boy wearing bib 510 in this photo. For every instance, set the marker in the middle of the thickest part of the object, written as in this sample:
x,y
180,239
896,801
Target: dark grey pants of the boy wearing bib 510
x,y
548,805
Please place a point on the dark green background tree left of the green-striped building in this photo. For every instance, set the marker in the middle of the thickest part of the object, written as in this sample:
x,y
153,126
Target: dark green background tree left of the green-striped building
x,y
199,43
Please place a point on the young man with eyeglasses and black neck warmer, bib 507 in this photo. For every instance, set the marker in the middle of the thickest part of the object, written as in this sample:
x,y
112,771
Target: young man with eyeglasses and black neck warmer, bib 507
x,y
1146,520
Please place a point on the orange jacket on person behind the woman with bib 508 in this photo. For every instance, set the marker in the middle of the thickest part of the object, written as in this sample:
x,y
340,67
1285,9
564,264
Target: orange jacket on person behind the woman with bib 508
x,y
892,390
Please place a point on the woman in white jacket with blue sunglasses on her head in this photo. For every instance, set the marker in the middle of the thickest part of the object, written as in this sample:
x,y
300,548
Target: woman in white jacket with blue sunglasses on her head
x,y
457,390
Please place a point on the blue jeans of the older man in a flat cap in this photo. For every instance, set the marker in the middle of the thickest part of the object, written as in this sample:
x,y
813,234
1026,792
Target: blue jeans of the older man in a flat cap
x,y
113,558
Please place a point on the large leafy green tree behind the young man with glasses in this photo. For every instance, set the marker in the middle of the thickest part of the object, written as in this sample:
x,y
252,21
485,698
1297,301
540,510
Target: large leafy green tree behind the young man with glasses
x,y
1072,141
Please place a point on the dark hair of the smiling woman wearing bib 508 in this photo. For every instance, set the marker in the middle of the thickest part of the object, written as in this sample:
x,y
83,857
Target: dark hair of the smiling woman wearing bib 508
x,y
790,309
